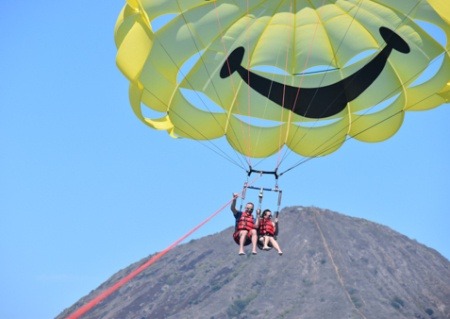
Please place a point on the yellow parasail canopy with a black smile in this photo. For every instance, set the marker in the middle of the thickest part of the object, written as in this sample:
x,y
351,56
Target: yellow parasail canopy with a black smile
x,y
268,74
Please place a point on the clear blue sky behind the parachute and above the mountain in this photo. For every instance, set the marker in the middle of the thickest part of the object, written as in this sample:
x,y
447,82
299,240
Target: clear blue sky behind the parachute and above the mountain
x,y
86,189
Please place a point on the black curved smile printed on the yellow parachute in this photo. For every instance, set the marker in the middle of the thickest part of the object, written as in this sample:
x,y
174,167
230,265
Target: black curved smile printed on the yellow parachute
x,y
320,102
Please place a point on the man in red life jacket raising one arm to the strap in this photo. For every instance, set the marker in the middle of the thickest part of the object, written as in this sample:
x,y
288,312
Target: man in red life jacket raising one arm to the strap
x,y
245,229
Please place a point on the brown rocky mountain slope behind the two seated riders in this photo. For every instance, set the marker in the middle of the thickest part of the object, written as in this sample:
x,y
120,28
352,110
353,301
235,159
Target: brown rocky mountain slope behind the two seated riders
x,y
333,266
